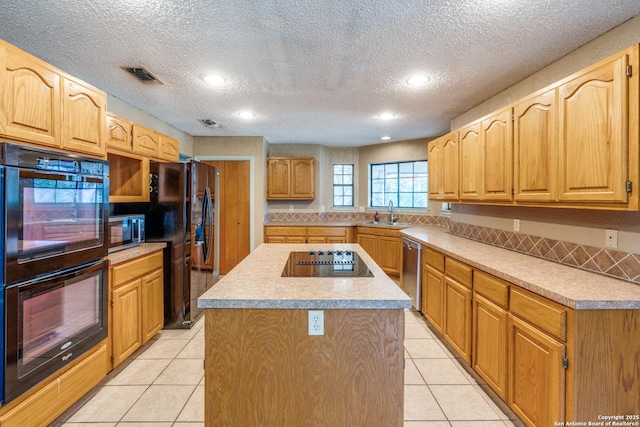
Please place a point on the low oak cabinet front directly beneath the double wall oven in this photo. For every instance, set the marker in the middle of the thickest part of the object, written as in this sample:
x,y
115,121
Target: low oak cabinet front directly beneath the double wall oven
x,y
52,397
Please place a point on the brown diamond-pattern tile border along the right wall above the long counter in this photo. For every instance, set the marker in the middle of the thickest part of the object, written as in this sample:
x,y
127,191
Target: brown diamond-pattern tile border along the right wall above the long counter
x,y
618,264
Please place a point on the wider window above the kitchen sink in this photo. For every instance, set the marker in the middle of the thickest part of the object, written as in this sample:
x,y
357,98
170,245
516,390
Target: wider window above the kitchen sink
x,y
403,183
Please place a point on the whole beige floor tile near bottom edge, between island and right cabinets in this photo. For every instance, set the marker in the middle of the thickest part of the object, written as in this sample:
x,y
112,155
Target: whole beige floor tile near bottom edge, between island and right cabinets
x,y
463,403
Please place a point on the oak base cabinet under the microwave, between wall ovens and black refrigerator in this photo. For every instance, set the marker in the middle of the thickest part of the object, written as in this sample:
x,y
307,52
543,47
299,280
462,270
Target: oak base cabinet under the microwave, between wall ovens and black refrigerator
x,y
137,301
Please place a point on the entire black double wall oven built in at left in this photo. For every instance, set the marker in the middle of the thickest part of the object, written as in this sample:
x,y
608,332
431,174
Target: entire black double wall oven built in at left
x,y
54,270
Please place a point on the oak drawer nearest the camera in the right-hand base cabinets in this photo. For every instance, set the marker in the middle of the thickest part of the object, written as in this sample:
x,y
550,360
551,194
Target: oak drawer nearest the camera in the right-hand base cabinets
x,y
546,315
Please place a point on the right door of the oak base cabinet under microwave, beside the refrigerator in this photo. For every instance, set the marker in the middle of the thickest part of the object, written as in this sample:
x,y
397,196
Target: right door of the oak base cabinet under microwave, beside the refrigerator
x,y
152,301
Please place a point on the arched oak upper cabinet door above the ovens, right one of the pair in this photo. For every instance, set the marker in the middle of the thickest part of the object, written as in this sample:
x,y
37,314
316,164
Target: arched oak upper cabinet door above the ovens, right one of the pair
x,y
84,112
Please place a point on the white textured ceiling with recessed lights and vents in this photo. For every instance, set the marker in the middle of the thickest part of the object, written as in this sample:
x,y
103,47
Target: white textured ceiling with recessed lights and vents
x,y
312,71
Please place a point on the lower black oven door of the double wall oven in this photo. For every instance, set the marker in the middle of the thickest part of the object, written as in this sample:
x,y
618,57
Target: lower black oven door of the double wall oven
x,y
52,321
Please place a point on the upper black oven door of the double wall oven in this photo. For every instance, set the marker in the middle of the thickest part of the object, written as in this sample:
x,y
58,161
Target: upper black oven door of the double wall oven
x,y
54,220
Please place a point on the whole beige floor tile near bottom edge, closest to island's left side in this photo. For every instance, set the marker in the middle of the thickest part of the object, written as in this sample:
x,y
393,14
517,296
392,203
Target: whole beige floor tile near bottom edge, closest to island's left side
x,y
159,403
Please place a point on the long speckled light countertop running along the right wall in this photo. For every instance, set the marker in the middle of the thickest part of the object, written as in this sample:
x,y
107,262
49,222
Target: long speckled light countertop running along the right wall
x,y
566,285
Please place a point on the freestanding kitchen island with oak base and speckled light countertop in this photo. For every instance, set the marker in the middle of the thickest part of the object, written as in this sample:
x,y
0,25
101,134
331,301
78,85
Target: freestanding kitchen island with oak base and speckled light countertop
x,y
262,367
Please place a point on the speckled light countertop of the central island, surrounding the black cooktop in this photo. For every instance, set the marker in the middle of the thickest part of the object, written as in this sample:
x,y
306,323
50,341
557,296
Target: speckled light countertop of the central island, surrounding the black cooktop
x,y
257,283
